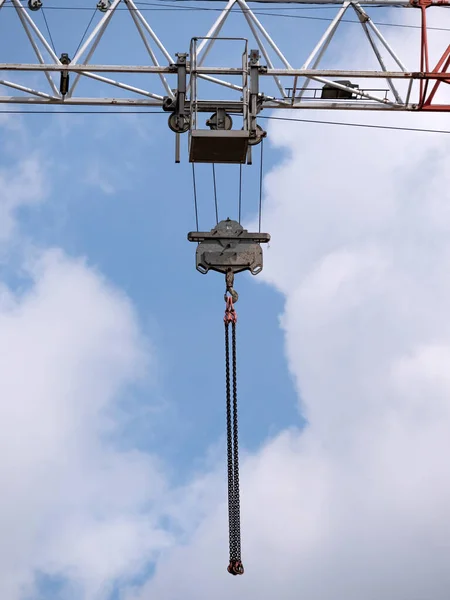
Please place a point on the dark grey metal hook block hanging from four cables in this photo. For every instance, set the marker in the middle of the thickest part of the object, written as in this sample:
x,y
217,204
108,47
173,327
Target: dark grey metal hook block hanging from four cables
x,y
229,247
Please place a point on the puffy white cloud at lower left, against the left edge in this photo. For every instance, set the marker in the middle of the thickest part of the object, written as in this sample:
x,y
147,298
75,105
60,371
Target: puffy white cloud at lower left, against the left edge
x,y
70,502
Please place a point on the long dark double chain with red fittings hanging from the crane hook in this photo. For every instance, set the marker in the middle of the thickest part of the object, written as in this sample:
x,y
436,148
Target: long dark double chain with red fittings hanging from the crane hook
x,y
235,566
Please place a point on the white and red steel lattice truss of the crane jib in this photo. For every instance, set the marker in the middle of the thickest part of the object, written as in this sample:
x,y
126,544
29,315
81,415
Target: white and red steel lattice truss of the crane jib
x,y
295,87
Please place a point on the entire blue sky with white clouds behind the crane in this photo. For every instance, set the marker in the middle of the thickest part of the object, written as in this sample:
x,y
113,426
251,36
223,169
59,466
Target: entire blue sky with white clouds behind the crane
x,y
112,462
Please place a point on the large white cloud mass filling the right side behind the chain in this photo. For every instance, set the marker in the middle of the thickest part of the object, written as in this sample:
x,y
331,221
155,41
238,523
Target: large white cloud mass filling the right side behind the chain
x,y
358,504
